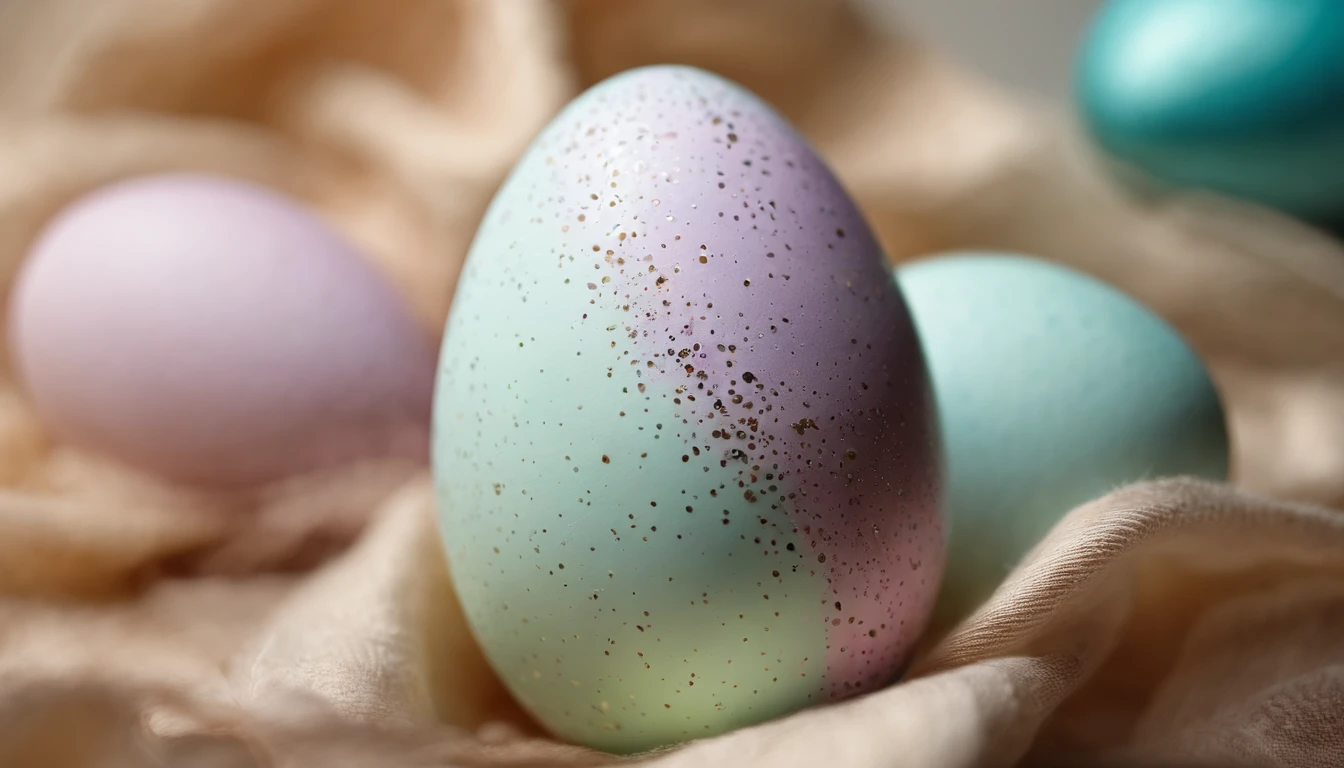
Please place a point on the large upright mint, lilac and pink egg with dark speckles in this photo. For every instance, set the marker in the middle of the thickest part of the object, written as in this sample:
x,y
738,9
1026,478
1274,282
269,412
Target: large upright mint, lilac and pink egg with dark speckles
x,y
686,447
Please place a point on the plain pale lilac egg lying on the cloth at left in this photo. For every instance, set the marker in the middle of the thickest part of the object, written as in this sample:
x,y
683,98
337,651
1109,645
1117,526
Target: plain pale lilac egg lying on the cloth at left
x,y
216,333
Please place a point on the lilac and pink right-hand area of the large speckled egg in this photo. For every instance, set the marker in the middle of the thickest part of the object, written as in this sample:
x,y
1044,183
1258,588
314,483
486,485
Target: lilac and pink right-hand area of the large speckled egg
x,y
701,315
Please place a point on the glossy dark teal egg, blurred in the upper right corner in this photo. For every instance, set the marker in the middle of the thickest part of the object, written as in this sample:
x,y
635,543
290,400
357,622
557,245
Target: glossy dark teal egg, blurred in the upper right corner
x,y
1243,98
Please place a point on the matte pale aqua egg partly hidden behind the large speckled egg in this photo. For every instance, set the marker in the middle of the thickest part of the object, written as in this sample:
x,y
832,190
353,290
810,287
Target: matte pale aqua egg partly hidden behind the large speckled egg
x,y
1053,389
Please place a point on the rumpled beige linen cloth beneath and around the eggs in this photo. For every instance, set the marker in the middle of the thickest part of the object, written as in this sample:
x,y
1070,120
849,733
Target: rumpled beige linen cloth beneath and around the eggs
x,y
312,623
